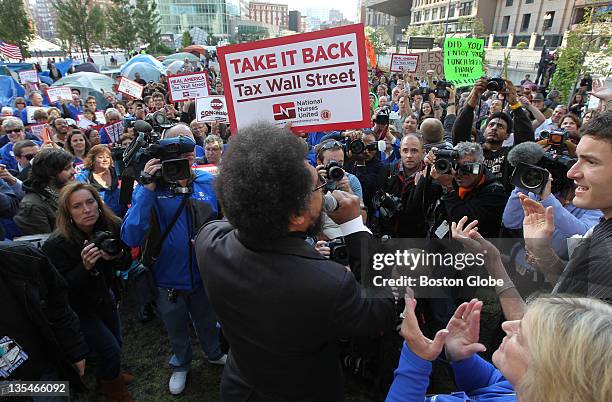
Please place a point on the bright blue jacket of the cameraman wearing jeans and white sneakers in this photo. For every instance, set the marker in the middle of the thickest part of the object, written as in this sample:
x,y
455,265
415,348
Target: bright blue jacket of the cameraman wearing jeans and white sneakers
x,y
176,267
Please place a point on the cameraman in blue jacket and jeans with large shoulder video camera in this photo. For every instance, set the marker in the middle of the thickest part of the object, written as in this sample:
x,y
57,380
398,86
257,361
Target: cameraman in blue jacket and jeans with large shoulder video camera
x,y
169,221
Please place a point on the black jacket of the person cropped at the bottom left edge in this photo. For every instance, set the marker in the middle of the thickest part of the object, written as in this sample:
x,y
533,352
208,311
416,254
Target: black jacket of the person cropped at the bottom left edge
x,y
42,293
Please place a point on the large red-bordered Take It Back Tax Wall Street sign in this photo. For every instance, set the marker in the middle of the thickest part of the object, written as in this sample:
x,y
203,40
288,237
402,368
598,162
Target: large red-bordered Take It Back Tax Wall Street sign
x,y
315,81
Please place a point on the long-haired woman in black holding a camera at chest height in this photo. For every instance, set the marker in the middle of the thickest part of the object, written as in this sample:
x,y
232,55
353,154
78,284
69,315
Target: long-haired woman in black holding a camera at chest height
x,y
87,253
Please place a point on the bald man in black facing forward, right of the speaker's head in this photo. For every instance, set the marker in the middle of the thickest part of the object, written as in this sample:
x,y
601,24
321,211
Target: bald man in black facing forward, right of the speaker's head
x,y
396,218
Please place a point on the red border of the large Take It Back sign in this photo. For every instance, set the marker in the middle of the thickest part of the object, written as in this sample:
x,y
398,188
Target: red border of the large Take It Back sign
x,y
357,29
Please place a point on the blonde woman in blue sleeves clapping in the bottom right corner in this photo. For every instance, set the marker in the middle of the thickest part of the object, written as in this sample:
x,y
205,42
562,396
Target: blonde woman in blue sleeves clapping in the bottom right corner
x,y
561,350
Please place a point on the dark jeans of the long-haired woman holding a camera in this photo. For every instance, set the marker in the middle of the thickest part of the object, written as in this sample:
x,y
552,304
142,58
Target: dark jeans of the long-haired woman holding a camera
x,y
103,335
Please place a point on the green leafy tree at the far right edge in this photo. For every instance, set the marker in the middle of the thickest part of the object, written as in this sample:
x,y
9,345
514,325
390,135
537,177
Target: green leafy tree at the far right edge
x,y
581,41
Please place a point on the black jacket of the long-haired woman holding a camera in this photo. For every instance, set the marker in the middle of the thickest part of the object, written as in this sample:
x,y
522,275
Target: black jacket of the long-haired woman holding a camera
x,y
88,291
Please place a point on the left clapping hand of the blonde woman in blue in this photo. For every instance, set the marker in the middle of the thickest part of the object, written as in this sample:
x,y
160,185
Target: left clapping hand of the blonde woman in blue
x,y
420,345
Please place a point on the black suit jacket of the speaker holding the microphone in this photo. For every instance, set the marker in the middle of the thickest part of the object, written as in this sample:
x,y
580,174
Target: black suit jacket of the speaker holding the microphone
x,y
283,306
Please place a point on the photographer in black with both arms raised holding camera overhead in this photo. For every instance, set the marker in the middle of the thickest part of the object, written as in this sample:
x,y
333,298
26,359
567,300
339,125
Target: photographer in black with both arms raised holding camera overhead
x,y
498,128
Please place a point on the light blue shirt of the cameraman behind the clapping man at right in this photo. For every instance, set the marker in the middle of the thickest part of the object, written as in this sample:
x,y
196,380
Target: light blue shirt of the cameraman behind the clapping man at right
x,y
569,220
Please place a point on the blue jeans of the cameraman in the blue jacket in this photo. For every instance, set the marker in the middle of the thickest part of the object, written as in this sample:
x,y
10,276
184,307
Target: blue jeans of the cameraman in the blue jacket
x,y
190,307
